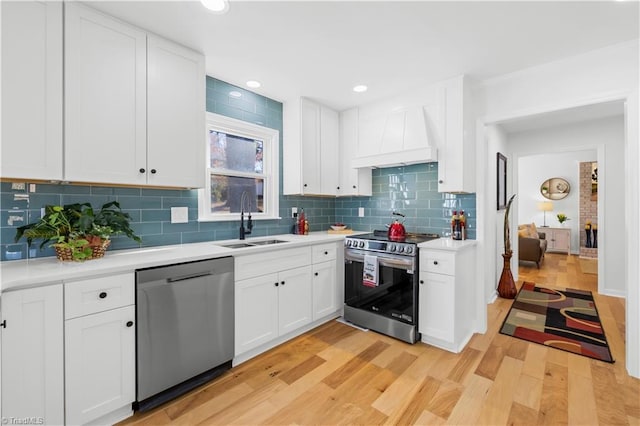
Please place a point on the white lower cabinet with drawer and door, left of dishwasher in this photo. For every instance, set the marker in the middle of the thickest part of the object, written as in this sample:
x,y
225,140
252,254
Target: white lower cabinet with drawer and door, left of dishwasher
x,y
99,349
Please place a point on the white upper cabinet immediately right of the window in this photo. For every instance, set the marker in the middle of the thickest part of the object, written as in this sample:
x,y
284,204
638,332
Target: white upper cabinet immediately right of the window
x,y
311,133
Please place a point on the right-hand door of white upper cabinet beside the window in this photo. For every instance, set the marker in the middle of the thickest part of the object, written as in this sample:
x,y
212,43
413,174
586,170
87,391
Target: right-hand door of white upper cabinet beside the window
x,y
329,160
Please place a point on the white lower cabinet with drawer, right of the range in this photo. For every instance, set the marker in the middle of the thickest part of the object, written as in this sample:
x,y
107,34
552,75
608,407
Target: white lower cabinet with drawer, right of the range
x,y
446,297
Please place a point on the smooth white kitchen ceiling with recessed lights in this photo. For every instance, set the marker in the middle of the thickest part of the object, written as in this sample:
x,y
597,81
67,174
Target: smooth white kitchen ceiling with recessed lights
x,y
322,49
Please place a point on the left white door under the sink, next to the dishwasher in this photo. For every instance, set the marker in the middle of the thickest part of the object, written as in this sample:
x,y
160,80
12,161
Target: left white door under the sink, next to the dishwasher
x,y
256,312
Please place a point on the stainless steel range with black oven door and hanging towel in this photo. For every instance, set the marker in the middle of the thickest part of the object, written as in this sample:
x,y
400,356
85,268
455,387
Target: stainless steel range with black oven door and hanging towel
x,y
381,283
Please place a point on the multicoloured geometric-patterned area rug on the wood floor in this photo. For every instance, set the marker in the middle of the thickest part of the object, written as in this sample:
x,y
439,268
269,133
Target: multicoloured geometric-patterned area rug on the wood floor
x,y
561,318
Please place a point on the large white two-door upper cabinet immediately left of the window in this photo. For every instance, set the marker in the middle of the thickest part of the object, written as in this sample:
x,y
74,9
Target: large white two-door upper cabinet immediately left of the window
x,y
134,105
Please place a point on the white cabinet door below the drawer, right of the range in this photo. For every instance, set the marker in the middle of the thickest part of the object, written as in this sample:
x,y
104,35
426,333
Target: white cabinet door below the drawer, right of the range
x,y
437,306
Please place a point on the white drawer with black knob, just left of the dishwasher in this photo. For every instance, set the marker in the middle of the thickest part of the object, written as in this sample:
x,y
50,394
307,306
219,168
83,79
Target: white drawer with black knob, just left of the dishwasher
x,y
98,294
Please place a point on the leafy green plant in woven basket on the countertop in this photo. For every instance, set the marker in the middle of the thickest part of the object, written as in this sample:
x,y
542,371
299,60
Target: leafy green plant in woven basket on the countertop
x,y
77,231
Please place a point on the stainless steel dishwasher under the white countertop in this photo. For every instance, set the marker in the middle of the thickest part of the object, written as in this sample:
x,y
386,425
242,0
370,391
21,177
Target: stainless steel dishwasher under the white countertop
x,y
185,328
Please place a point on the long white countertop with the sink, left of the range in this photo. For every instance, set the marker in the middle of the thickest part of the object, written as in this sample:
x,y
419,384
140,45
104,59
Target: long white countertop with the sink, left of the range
x,y
37,272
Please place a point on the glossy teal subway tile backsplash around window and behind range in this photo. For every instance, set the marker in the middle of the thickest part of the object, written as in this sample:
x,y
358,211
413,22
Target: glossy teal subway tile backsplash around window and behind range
x,y
411,190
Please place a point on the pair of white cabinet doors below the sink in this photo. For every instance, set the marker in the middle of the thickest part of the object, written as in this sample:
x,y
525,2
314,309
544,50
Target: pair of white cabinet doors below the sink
x,y
271,305
